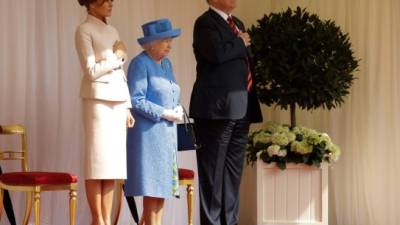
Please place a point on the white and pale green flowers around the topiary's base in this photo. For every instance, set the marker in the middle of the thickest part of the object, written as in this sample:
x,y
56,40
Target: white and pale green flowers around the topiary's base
x,y
282,144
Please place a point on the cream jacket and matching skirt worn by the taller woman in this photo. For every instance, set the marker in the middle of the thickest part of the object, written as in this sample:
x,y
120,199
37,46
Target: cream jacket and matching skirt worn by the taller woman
x,y
105,100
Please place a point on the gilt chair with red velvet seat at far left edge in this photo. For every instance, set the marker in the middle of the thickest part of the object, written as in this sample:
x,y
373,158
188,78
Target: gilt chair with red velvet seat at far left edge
x,y
33,183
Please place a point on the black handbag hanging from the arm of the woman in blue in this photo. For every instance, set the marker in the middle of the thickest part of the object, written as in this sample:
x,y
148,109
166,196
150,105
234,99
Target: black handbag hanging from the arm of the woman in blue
x,y
186,134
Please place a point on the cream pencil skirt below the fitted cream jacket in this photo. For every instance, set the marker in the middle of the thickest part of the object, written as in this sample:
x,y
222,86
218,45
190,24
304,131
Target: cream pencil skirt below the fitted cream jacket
x,y
105,139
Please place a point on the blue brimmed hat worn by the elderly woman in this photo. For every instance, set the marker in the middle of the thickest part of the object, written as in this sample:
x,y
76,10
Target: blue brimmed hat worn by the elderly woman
x,y
158,29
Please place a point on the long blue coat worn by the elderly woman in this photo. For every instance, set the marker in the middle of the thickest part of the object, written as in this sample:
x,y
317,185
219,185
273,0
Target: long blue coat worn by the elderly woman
x,y
152,142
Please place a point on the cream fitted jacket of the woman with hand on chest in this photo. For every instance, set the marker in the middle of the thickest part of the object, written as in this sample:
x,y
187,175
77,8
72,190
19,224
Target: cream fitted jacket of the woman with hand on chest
x,y
103,76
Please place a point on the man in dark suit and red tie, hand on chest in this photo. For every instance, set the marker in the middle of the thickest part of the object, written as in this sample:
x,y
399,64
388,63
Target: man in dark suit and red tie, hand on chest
x,y
223,104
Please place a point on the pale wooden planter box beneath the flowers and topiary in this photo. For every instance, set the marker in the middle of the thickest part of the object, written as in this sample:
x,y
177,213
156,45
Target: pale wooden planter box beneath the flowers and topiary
x,y
295,196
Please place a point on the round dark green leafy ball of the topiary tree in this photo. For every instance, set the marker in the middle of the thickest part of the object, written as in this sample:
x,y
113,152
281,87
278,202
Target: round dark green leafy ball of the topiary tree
x,y
302,60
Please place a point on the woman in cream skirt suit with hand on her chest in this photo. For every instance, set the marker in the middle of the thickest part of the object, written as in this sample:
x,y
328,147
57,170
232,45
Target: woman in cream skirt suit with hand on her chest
x,y
106,104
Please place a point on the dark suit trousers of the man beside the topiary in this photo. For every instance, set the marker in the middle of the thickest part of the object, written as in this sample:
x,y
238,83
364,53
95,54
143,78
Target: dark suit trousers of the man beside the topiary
x,y
220,160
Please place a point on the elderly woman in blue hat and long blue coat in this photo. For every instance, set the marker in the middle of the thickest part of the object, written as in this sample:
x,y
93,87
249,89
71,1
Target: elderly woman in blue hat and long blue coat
x,y
152,142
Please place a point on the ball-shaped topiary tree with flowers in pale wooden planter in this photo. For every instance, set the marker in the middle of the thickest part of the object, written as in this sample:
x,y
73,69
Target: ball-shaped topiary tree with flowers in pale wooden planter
x,y
301,62
